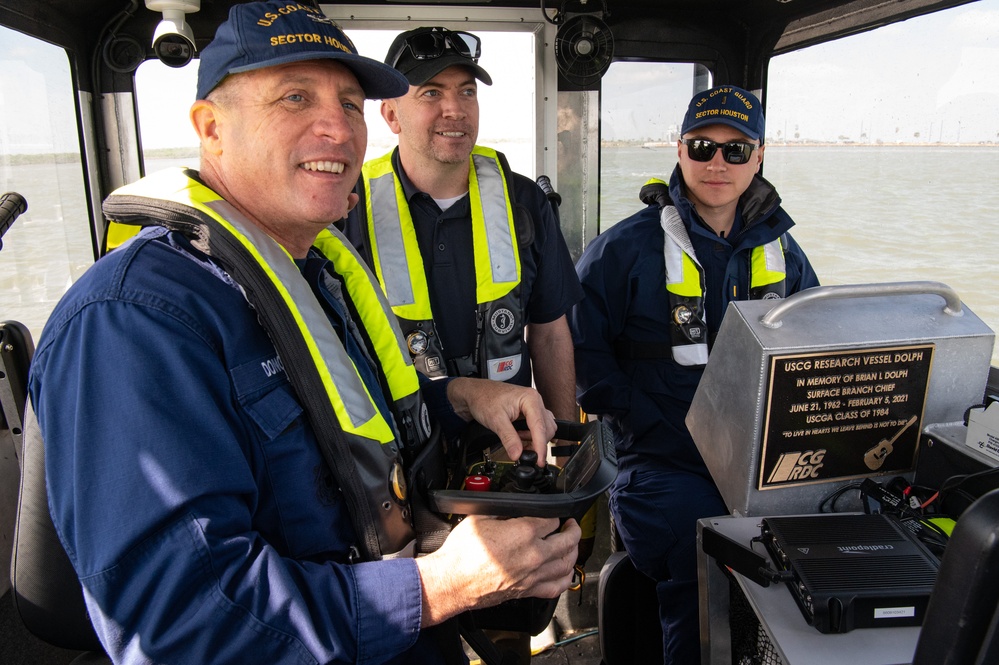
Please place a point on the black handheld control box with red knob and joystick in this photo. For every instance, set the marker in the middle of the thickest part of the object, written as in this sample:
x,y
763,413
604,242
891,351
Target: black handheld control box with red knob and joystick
x,y
521,489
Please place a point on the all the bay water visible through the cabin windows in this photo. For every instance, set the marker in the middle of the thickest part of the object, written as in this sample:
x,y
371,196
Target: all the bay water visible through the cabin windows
x,y
864,214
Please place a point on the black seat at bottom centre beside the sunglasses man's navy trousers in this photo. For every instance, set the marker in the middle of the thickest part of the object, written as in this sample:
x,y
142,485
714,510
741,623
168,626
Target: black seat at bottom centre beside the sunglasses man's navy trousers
x,y
628,614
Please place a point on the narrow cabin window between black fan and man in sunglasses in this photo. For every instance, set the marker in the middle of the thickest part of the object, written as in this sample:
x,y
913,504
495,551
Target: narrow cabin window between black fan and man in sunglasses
x,y
641,108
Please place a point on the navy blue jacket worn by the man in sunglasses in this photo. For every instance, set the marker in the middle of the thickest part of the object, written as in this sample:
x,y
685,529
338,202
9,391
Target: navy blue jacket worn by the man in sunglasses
x,y
623,275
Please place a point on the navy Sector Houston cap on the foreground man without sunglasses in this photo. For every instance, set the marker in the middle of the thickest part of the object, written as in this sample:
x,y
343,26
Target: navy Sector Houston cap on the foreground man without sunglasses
x,y
264,34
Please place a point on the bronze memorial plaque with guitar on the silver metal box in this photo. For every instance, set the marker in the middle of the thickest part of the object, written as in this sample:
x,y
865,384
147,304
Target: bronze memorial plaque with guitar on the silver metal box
x,y
846,414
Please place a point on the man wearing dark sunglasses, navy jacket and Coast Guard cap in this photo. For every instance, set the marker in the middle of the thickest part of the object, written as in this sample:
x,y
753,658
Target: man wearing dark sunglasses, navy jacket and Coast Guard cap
x,y
656,287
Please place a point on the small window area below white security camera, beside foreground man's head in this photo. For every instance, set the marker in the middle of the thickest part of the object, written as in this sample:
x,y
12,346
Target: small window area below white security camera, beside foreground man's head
x,y
163,98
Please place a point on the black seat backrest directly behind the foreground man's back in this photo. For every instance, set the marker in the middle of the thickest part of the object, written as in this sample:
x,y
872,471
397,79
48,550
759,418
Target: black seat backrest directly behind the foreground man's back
x,y
47,593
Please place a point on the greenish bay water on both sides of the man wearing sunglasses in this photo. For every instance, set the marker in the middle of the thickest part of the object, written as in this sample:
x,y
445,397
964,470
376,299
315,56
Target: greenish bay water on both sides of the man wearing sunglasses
x,y
865,214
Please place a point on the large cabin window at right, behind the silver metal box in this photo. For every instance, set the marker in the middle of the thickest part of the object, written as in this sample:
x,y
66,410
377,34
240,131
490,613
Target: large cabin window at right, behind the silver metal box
x,y
889,165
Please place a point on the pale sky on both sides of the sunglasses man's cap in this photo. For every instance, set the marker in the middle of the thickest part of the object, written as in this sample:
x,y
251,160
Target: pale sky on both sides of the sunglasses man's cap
x,y
943,80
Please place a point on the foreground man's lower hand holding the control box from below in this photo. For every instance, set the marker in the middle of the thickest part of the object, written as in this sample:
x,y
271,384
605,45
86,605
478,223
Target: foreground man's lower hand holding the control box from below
x,y
488,560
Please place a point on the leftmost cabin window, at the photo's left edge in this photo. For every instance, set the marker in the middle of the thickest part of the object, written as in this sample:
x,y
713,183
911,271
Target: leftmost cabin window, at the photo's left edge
x,y
49,246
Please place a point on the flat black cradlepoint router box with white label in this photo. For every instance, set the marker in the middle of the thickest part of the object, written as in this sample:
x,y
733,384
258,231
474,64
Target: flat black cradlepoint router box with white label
x,y
852,571
